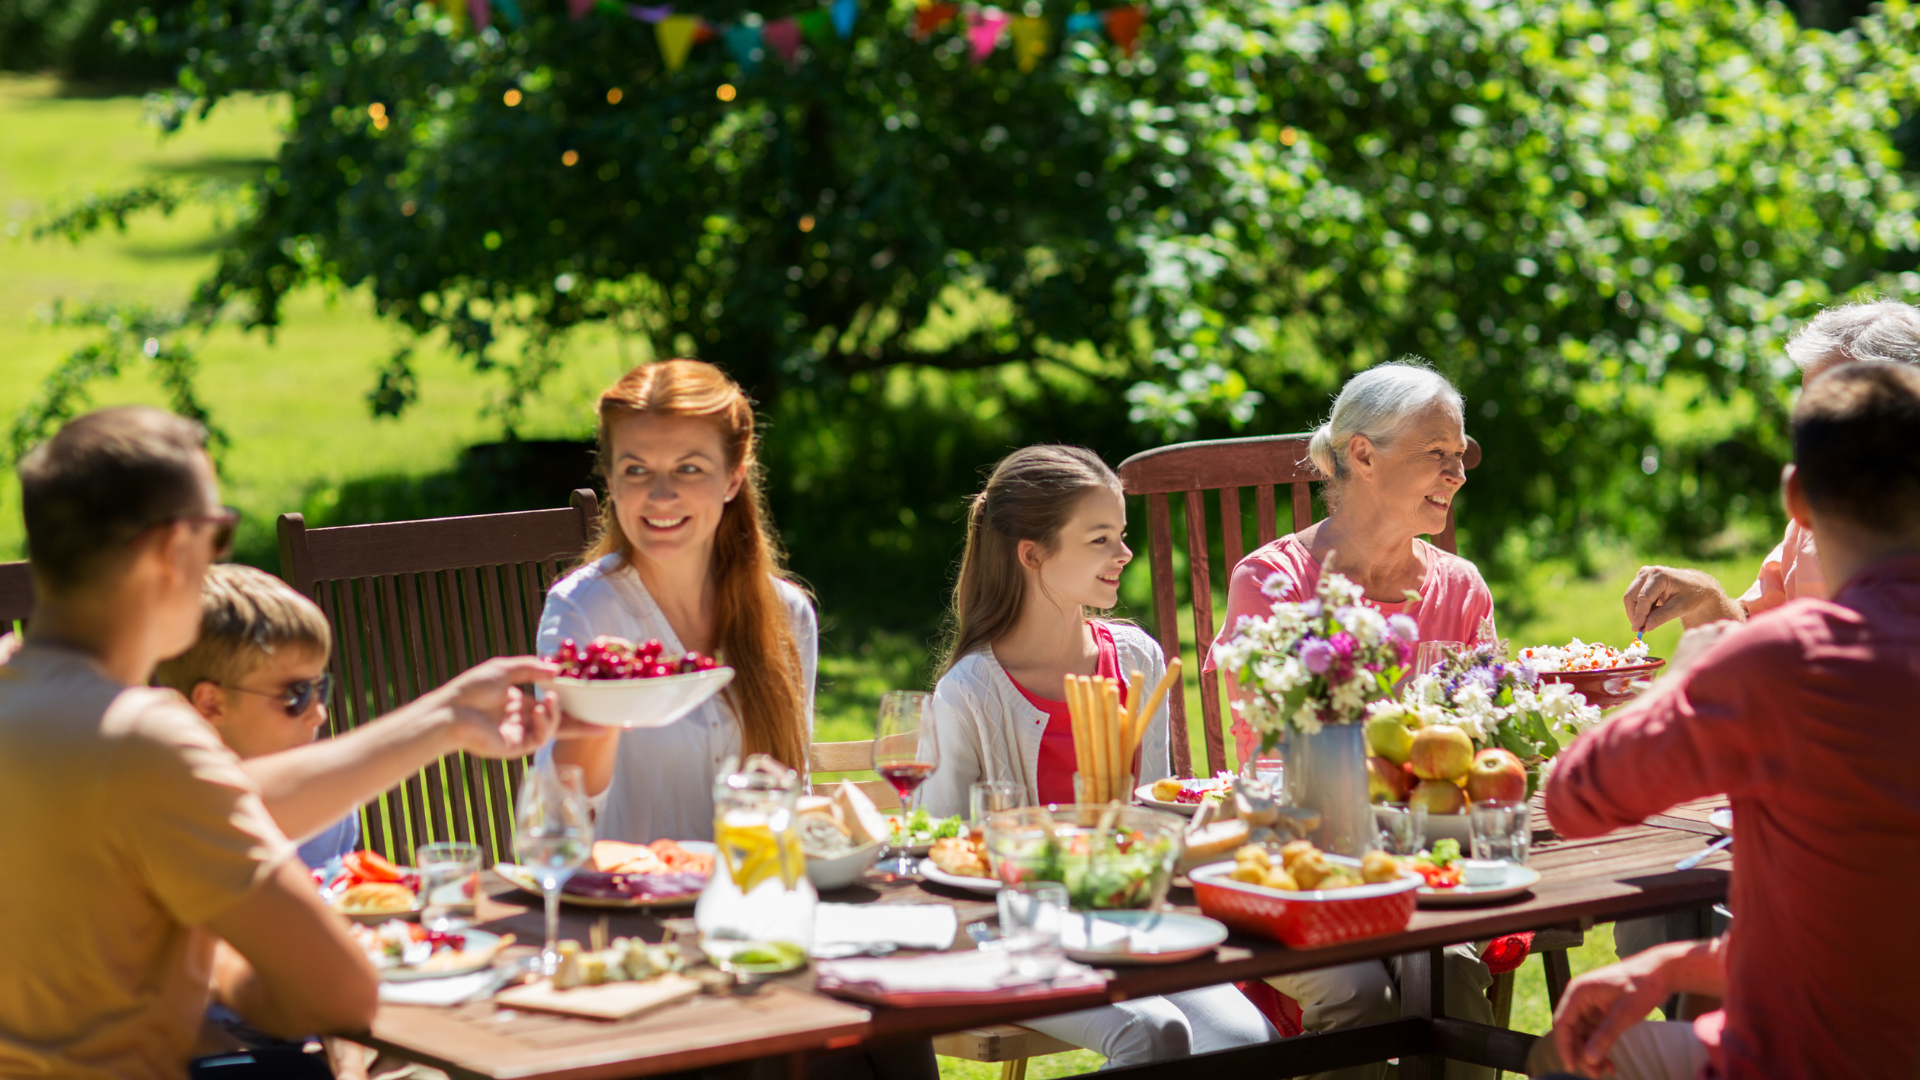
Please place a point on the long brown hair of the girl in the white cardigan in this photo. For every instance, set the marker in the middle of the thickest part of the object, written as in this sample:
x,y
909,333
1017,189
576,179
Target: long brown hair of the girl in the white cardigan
x,y
1030,497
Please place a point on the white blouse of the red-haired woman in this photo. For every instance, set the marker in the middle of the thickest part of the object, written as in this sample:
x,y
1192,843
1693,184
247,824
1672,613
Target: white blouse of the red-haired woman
x,y
663,777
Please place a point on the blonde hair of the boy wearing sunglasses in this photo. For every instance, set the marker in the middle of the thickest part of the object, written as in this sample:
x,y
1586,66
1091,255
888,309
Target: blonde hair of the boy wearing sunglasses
x,y
245,618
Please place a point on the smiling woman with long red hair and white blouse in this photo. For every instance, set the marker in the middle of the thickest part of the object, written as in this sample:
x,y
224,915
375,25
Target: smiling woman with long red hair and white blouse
x,y
688,558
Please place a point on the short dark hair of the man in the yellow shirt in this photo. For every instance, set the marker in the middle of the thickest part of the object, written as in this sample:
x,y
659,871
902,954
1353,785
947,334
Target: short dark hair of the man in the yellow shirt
x,y
99,483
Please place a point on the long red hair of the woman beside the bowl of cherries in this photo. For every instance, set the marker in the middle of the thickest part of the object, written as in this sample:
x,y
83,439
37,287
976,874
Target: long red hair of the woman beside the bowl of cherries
x,y
752,629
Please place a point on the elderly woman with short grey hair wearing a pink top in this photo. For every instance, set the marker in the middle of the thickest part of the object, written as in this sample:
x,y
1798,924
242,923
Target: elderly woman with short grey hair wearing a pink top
x,y
1395,458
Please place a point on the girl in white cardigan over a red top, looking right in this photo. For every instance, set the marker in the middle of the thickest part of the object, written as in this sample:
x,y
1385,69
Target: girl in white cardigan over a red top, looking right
x,y
1045,547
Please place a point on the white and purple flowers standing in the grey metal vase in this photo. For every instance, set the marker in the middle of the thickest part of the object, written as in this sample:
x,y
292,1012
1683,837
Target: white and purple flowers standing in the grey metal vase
x,y
1318,662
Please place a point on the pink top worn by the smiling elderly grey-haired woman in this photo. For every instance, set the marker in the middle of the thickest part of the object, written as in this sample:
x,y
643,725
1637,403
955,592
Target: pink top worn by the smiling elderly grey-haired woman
x,y
1454,604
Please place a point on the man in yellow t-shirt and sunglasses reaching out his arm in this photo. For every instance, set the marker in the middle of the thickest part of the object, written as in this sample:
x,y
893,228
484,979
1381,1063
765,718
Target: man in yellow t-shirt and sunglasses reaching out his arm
x,y
147,864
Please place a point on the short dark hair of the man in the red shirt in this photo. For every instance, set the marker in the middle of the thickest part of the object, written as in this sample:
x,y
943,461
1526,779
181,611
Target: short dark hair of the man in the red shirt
x,y
1858,445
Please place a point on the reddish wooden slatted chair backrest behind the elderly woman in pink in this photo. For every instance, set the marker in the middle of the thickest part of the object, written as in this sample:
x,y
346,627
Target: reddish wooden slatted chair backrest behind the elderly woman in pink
x,y
1224,466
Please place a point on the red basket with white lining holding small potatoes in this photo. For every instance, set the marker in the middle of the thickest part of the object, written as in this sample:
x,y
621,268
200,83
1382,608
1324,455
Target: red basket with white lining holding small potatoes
x,y
1307,920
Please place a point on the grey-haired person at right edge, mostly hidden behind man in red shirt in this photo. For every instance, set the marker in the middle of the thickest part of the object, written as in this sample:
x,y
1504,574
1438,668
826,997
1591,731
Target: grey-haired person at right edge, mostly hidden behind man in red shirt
x,y
1877,331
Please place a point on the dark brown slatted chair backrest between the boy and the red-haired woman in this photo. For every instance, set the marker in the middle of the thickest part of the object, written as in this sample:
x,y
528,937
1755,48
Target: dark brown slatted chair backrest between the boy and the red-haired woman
x,y
414,604
